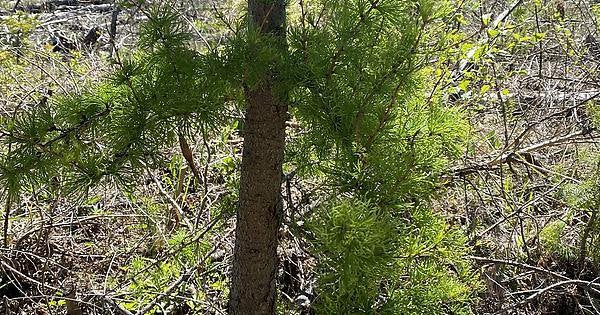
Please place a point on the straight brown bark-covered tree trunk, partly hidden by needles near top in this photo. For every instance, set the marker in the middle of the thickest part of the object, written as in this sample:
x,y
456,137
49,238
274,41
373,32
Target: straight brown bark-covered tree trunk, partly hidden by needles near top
x,y
253,289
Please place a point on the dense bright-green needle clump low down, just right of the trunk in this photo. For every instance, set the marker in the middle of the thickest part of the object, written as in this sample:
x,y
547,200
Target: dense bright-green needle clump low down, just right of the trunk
x,y
358,250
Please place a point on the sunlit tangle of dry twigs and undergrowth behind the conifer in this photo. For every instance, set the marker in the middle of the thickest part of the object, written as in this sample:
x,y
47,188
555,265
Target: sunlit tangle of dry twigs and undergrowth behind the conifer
x,y
525,195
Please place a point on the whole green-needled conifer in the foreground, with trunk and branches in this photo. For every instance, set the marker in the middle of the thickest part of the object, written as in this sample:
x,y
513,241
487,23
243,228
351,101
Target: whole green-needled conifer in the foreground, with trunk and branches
x,y
354,74
